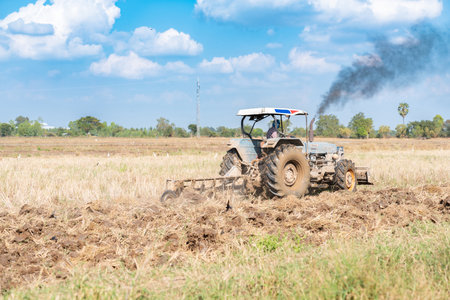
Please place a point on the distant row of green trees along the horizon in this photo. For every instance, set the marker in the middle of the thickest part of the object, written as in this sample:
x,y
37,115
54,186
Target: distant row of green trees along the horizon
x,y
359,126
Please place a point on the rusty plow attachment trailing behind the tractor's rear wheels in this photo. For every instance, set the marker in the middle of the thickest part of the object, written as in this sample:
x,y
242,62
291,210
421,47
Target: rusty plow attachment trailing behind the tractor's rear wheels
x,y
174,188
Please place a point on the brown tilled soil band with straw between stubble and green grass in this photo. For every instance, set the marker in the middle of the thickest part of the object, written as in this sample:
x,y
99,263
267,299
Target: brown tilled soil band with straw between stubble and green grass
x,y
37,243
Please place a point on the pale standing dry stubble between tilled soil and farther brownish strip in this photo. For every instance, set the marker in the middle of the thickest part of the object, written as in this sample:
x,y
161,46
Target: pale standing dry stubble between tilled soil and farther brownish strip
x,y
80,179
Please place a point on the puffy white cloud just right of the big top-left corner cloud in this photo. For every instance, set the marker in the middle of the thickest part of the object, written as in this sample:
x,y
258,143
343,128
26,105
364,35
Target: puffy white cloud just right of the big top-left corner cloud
x,y
146,41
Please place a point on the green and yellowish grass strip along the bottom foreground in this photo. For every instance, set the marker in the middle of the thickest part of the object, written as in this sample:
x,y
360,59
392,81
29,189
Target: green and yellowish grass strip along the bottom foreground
x,y
405,263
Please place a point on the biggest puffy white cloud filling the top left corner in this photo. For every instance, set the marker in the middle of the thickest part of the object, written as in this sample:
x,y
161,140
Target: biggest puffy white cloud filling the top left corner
x,y
58,29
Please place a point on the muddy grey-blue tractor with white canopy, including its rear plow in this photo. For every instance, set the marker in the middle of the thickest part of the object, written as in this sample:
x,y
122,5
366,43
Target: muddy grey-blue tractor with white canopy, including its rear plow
x,y
279,164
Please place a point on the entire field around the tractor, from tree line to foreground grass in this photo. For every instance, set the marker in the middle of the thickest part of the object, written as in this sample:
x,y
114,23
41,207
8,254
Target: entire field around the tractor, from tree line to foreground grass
x,y
81,217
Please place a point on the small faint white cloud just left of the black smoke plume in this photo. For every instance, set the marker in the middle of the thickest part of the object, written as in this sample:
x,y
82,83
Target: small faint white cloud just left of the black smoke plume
x,y
307,62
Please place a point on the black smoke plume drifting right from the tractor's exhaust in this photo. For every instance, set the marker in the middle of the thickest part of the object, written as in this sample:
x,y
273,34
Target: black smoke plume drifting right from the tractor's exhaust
x,y
391,64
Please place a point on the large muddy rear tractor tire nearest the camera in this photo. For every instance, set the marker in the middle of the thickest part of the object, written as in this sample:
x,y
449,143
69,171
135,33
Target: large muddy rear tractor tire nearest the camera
x,y
285,172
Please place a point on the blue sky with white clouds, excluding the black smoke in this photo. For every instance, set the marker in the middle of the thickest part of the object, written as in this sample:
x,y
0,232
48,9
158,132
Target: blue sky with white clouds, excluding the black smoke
x,y
134,61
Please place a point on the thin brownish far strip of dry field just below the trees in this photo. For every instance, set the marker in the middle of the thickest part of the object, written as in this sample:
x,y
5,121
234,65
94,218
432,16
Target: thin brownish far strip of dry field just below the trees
x,y
93,146
